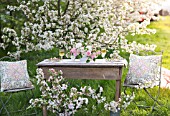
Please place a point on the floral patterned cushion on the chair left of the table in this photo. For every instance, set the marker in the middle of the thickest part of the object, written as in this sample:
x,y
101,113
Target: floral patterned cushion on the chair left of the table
x,y
14,75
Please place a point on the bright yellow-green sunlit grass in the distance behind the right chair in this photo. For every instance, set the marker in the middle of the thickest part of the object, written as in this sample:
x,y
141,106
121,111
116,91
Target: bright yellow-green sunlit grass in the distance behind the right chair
x,y
161,38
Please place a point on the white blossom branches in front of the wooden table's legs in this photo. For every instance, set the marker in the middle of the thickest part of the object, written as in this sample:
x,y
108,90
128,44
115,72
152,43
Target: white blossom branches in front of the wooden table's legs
x,y
62,100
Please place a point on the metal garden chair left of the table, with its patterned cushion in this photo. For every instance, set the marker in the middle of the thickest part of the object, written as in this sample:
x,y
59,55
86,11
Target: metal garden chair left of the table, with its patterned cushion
x,y
14,82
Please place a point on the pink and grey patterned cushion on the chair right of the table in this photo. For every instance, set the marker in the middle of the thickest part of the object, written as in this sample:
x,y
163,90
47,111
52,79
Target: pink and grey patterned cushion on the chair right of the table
x,y
144,70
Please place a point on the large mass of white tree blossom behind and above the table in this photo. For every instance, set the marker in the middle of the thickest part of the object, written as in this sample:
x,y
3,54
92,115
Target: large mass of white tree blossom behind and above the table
x,y
99,22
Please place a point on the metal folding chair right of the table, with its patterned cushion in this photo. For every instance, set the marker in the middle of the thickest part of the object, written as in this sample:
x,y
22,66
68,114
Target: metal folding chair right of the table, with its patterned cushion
x,y
144,73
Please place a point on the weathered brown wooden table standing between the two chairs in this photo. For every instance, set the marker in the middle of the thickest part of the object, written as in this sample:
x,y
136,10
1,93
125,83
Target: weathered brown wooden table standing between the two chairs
x,y
100,69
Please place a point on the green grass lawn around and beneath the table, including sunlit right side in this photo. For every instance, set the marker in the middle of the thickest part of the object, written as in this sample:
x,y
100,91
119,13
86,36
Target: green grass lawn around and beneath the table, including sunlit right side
x,y
161,39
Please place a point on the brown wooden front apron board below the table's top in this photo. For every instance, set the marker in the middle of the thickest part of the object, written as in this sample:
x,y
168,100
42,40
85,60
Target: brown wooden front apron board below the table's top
x,y
86,73
